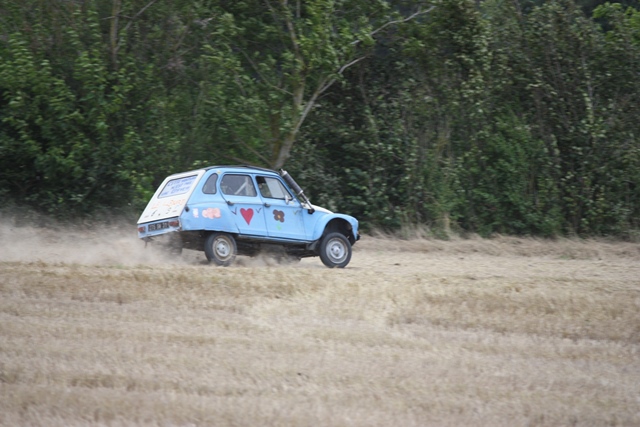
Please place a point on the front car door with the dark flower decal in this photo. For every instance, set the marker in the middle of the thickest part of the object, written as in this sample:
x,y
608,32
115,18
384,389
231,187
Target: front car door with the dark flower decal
x,y
283,213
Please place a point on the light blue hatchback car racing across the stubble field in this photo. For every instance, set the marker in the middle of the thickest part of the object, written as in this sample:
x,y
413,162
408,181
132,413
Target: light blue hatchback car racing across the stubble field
x,y
240,210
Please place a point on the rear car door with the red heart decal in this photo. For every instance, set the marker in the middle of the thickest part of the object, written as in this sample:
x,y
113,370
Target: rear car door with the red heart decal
x,y
244,203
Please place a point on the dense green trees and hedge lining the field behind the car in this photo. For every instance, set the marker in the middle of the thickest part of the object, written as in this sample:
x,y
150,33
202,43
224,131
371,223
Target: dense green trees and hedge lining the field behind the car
x,y
489,117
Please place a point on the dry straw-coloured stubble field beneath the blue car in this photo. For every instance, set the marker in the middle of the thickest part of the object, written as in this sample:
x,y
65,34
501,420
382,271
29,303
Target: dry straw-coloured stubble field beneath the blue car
x,y
97,330
